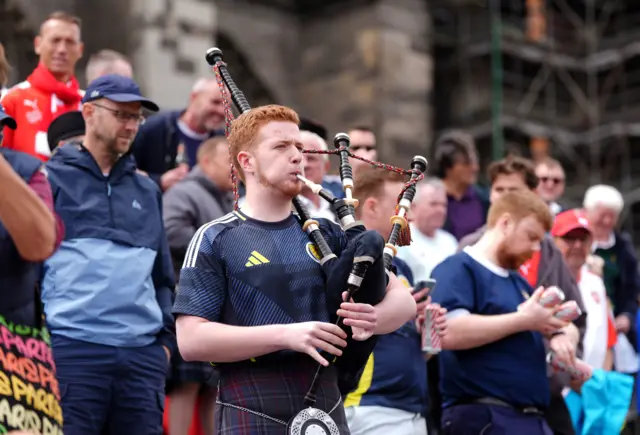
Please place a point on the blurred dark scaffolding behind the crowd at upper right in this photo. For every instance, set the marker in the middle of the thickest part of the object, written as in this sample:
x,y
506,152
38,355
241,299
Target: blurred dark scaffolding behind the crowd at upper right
x,y
546,77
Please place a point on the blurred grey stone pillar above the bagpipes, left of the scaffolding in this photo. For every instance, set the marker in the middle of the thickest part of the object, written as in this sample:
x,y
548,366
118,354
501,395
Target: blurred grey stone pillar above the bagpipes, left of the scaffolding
x,y
372,66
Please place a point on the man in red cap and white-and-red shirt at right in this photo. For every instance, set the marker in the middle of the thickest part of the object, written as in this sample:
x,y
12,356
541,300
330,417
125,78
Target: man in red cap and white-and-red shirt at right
x,y
573,238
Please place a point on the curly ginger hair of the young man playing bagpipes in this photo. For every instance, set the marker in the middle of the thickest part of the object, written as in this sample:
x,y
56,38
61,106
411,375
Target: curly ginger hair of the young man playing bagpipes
x,y
244,129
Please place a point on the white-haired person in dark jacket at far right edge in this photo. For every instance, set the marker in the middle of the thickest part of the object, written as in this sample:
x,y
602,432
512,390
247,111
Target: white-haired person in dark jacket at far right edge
x,y
603,205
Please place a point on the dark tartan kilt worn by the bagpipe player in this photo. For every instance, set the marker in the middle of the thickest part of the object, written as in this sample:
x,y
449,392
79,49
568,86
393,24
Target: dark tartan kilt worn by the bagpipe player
x,y
276,390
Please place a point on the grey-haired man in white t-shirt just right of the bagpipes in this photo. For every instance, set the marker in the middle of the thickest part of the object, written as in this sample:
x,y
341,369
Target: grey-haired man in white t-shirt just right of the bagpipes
x,y
430,244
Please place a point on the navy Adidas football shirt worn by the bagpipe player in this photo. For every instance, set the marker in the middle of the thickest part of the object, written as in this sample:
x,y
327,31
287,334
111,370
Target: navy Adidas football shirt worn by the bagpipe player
x,y
243,272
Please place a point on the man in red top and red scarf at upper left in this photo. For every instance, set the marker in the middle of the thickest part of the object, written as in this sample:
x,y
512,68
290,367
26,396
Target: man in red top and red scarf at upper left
x,y
50,90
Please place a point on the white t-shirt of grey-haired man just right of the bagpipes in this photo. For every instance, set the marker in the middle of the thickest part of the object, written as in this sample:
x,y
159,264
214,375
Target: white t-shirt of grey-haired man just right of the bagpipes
x,y
425,253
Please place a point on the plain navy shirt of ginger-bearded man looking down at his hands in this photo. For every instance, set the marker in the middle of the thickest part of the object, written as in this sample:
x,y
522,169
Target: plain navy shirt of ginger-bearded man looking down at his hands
x,y
512,369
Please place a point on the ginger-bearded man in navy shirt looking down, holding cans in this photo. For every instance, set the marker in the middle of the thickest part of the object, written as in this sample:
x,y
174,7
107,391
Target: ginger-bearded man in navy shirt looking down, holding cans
x,y
493,367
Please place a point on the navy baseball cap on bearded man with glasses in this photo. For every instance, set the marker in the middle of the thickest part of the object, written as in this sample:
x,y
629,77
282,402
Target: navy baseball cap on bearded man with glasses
x,y
119,89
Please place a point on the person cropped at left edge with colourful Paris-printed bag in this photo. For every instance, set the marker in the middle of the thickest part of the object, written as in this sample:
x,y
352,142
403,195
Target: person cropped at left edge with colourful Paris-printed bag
x,y
28,232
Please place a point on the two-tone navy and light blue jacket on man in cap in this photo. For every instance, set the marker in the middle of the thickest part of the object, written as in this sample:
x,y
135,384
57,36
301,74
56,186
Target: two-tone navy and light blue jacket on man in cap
x,y
111,280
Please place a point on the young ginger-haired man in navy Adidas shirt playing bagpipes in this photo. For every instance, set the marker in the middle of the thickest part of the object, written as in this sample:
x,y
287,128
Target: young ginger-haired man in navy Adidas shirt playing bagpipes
x,y
253,294
